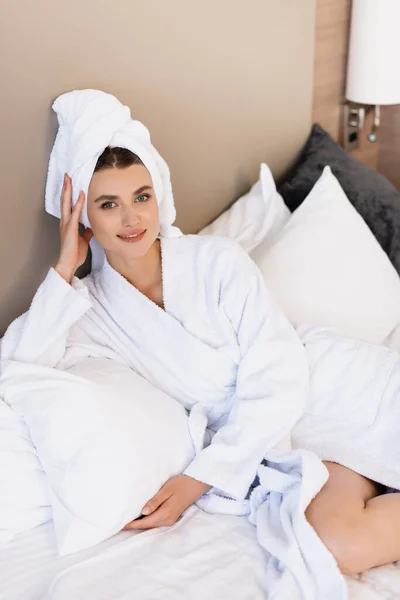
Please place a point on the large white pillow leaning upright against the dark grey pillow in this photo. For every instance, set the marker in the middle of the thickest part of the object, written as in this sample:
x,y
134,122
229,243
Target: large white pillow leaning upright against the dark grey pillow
x,y
325,267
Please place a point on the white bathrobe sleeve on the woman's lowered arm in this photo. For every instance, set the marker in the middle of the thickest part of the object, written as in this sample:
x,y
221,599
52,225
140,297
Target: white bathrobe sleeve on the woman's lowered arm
x,y
271,386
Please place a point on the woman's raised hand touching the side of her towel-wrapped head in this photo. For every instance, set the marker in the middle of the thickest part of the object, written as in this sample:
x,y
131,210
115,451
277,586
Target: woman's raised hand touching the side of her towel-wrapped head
x,y
74,247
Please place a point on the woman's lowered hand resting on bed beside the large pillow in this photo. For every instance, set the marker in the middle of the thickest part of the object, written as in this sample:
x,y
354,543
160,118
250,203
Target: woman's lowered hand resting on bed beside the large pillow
x,y
170,502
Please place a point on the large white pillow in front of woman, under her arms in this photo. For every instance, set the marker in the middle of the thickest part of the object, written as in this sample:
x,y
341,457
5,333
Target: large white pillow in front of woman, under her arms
x,y
107,440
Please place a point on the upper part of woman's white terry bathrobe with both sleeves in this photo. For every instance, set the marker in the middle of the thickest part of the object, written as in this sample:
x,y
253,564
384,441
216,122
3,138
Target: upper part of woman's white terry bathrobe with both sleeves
x,y
220,348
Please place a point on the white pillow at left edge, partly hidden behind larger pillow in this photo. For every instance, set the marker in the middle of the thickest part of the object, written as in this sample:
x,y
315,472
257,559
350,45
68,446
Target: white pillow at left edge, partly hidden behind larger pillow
x,y
24,497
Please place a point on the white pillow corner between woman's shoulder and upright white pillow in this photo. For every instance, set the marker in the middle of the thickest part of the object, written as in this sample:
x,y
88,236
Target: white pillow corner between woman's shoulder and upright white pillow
x,y
258,215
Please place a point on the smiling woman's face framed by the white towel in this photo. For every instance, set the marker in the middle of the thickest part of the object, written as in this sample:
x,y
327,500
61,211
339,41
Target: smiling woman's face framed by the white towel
x,y
121,203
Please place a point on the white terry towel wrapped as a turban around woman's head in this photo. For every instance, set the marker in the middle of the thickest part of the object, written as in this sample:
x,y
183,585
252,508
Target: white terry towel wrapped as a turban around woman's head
x,y
89,121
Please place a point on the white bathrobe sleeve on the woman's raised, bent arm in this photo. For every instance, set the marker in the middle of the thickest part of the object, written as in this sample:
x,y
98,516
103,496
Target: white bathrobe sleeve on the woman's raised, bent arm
x,y
40,334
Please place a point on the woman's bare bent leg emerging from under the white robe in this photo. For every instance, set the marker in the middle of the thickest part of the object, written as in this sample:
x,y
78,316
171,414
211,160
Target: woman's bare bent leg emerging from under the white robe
x,y
358,525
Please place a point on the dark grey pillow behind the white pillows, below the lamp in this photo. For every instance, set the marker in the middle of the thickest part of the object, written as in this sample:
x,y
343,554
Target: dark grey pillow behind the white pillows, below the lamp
x,y
371,194
